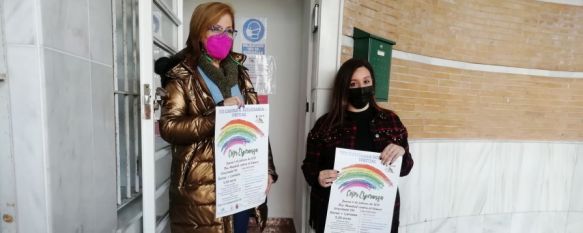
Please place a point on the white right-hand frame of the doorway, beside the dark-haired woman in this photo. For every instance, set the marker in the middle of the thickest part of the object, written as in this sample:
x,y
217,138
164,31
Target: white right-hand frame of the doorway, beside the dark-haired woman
x,y
323,60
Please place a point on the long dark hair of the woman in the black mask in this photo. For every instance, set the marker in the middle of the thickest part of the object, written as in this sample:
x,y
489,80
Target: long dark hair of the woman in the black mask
x,y
339,102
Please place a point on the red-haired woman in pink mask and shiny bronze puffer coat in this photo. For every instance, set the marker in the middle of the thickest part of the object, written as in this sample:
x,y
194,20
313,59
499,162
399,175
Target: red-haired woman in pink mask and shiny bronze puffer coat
x,y
204,75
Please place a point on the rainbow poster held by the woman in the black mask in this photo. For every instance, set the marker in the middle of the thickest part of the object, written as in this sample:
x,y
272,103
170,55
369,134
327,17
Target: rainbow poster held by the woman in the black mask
x,y
362,198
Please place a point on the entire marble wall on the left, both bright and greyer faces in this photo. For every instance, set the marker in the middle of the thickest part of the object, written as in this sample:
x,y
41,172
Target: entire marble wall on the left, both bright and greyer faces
x,y
59,55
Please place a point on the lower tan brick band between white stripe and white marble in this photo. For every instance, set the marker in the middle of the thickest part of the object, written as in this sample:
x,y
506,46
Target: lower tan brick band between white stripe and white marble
x,y
441,102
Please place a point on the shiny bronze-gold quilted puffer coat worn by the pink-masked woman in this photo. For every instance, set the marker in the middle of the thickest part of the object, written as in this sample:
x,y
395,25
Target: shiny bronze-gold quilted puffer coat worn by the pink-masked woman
x,y
187,123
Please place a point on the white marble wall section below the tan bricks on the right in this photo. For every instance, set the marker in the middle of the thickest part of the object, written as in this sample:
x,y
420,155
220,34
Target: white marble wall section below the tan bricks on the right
x,y
493,186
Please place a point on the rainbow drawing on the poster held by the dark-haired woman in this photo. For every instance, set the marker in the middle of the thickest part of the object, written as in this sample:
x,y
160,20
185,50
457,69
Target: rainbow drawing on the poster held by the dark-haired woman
x,y
363,176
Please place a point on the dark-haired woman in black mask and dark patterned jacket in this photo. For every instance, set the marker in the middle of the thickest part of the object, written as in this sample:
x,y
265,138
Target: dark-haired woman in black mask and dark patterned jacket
x,y
355,121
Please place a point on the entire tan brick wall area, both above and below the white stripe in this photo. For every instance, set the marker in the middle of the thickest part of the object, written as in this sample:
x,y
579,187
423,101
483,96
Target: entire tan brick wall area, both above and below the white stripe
x,y
441,102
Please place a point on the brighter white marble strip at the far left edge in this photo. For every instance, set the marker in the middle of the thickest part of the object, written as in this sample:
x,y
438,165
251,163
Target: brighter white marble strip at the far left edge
x,y
26,94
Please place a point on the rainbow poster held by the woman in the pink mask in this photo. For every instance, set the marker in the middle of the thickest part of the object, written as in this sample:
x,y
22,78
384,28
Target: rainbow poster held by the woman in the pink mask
x,y
241,154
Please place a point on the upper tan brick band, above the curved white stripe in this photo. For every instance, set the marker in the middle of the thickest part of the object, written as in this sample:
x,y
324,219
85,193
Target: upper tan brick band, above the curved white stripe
x,y
517,33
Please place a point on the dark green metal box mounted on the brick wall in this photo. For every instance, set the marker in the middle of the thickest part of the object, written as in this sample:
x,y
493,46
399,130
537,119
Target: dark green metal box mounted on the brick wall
x,y
377,51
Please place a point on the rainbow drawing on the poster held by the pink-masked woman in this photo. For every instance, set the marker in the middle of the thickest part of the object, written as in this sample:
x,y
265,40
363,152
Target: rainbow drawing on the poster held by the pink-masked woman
x,y
237,132
